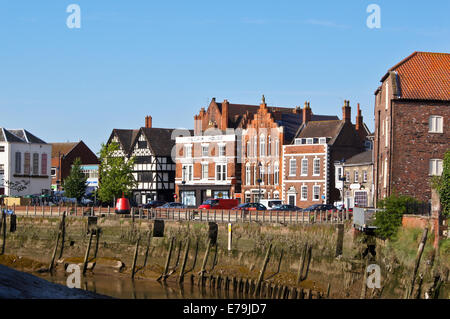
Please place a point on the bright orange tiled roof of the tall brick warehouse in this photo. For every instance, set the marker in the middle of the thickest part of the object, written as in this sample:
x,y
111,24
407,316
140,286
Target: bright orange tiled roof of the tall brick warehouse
x,y
424,75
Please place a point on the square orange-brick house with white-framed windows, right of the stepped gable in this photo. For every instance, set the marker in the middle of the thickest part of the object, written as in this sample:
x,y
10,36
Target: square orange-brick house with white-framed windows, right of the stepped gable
x,y
308,161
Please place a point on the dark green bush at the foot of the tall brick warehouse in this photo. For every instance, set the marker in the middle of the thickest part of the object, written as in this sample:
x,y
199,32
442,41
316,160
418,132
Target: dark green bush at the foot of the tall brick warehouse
x,y
389,219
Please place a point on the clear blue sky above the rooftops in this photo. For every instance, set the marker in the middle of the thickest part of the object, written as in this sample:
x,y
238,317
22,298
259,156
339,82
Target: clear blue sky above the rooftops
x,y
167,59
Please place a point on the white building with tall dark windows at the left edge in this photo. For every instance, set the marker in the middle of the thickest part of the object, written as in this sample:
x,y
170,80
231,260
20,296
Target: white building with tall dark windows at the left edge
x,y
24,163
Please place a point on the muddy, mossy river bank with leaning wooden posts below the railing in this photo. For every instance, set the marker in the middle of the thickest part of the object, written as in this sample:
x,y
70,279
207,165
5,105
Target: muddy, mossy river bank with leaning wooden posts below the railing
x,y
35,240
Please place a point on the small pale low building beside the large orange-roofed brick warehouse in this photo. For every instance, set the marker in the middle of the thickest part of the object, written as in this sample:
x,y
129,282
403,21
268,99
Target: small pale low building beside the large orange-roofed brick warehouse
x,y
358,187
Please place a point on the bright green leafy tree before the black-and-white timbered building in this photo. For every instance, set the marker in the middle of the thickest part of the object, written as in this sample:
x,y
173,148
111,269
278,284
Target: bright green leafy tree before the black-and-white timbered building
x,y
115,173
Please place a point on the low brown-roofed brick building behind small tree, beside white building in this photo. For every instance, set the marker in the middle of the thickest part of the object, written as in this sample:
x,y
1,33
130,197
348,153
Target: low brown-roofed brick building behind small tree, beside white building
x,y
63,156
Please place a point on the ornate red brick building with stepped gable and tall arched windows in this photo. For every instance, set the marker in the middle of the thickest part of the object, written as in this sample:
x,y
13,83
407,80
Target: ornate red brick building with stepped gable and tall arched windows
x,y
262,141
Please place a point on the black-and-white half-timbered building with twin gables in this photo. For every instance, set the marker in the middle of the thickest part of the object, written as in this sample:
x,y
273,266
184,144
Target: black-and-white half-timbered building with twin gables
x,y
154,169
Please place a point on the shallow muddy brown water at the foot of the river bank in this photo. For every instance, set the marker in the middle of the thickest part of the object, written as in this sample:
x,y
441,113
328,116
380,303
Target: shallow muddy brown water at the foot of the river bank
x,y
126,288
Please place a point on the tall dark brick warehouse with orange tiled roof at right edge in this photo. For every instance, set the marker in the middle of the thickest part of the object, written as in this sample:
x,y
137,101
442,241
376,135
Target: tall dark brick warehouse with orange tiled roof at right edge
x,y
412,107
